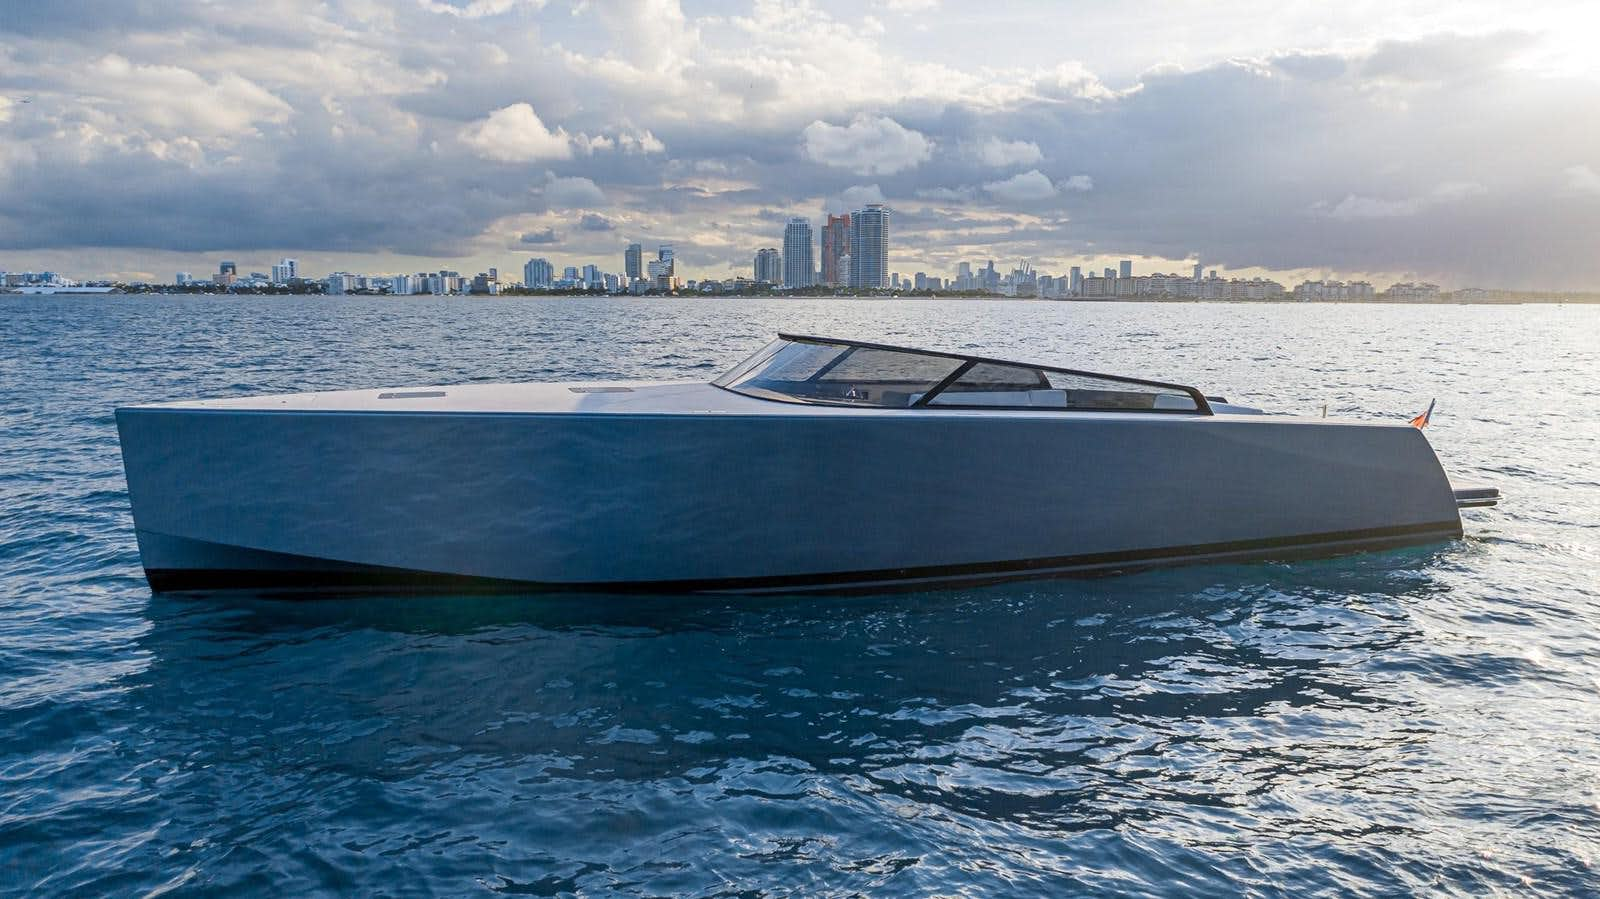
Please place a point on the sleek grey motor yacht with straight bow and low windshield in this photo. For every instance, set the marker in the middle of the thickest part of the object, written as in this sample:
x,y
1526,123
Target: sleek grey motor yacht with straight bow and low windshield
x,y
817,465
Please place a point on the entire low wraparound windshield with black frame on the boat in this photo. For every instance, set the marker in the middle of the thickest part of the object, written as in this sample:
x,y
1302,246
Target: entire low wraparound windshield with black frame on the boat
x,y
810,370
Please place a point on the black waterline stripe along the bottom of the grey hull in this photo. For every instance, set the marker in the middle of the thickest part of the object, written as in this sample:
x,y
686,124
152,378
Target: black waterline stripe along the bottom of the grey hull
x,y
346,577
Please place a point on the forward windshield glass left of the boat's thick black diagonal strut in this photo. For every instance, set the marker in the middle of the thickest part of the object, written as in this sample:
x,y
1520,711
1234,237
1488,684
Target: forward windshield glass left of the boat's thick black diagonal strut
x,y
839,374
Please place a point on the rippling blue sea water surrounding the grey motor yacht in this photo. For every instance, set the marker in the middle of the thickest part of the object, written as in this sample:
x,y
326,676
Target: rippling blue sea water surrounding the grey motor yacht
x,y
1407,722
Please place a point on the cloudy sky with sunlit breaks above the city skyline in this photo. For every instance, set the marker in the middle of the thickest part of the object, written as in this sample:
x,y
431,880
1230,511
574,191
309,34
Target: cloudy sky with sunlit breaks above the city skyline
x,y
1450,142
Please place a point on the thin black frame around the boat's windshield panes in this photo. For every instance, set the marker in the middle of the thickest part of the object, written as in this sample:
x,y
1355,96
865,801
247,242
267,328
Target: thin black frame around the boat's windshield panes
x,y
967,362
